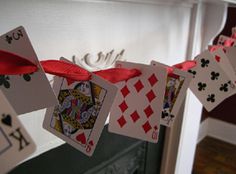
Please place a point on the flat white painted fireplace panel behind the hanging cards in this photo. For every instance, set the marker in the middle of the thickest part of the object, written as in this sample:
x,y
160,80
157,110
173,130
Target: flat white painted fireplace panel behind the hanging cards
x,y
65,28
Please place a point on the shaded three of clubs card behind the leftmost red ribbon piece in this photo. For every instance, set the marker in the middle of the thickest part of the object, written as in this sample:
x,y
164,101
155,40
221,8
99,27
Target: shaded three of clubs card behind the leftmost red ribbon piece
x,y
34,89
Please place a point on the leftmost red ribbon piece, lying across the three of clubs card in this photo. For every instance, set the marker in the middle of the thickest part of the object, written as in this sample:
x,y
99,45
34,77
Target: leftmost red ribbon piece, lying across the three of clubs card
x,y
11,64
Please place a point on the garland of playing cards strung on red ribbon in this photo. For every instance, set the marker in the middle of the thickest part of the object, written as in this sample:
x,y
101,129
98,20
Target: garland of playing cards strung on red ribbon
x,y
144,96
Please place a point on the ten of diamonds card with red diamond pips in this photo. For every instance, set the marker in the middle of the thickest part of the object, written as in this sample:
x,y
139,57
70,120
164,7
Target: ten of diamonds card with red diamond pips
x,y
136,111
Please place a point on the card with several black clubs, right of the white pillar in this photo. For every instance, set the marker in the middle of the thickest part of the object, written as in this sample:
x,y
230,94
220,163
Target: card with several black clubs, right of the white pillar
x,y
210,84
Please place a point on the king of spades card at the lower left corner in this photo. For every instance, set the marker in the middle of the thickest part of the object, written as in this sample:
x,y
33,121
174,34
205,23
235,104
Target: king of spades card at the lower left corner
x,y
15,143
